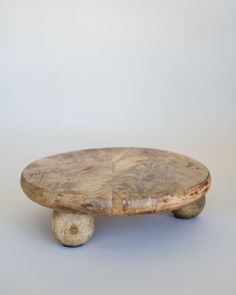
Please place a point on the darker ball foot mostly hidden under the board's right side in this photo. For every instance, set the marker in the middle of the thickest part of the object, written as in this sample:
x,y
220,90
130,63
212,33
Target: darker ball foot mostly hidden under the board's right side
x,y
190,210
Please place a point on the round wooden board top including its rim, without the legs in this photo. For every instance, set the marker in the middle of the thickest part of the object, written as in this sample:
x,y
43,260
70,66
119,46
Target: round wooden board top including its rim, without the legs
x,y
116,181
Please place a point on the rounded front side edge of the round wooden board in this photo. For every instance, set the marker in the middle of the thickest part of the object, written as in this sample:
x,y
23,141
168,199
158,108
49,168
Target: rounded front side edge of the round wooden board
x,y
154,205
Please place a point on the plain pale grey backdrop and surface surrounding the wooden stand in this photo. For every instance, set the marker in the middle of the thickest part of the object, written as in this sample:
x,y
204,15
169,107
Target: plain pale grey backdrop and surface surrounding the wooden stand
x,y
81,74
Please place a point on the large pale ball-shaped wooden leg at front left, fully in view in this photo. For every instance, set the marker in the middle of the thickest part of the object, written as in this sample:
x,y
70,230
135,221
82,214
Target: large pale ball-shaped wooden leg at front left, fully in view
x,y
72,229
